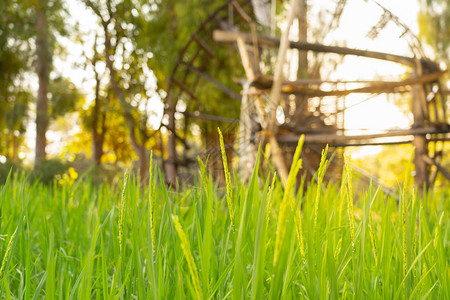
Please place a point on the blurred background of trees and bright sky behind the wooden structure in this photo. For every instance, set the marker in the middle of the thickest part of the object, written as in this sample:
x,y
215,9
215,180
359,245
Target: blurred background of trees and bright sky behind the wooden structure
x,y
90,88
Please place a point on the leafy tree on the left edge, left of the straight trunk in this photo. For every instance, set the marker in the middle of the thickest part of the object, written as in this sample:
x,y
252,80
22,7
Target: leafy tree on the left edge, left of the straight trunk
x,y
15,61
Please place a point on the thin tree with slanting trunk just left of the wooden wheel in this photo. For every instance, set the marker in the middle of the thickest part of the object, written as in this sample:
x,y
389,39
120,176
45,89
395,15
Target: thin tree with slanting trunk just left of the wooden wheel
x,y
125,59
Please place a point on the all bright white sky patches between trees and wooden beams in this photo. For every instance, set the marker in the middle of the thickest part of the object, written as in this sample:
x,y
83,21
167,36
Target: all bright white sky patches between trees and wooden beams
x,y
356,20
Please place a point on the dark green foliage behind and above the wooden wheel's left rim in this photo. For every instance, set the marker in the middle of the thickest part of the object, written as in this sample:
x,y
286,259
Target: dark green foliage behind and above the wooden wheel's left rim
x,y
170,27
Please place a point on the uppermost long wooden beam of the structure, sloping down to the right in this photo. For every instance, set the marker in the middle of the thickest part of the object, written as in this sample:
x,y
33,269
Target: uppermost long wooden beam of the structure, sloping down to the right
x,y
231,37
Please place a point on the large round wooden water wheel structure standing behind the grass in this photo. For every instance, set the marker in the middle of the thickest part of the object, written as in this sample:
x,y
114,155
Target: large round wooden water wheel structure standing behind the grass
x,y
320,112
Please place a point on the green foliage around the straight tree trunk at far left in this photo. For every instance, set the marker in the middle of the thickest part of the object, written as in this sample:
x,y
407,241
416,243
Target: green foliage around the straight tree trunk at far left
x,y
18,34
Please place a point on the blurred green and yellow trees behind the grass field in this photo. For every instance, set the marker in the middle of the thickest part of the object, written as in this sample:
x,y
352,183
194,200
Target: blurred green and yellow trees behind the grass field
x,y
110,92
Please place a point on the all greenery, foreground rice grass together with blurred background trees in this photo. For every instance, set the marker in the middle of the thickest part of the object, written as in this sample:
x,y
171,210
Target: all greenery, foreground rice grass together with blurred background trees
x,y
65,233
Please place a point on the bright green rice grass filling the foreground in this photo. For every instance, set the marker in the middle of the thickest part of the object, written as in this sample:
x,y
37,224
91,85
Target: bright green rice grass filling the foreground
x,y
330,241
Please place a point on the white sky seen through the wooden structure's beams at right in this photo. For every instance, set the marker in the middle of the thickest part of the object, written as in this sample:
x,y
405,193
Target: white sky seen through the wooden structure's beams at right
x,y
379,112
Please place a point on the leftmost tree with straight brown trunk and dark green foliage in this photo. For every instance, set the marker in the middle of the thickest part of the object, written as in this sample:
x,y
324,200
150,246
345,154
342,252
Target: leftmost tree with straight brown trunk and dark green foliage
x,y
22,23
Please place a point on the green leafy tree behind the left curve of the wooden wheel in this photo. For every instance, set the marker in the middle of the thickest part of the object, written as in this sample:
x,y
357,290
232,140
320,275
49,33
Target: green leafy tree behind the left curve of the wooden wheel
x,y
171,25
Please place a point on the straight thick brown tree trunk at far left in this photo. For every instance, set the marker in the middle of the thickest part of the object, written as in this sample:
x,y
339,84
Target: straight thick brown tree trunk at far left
x,y
43,60
